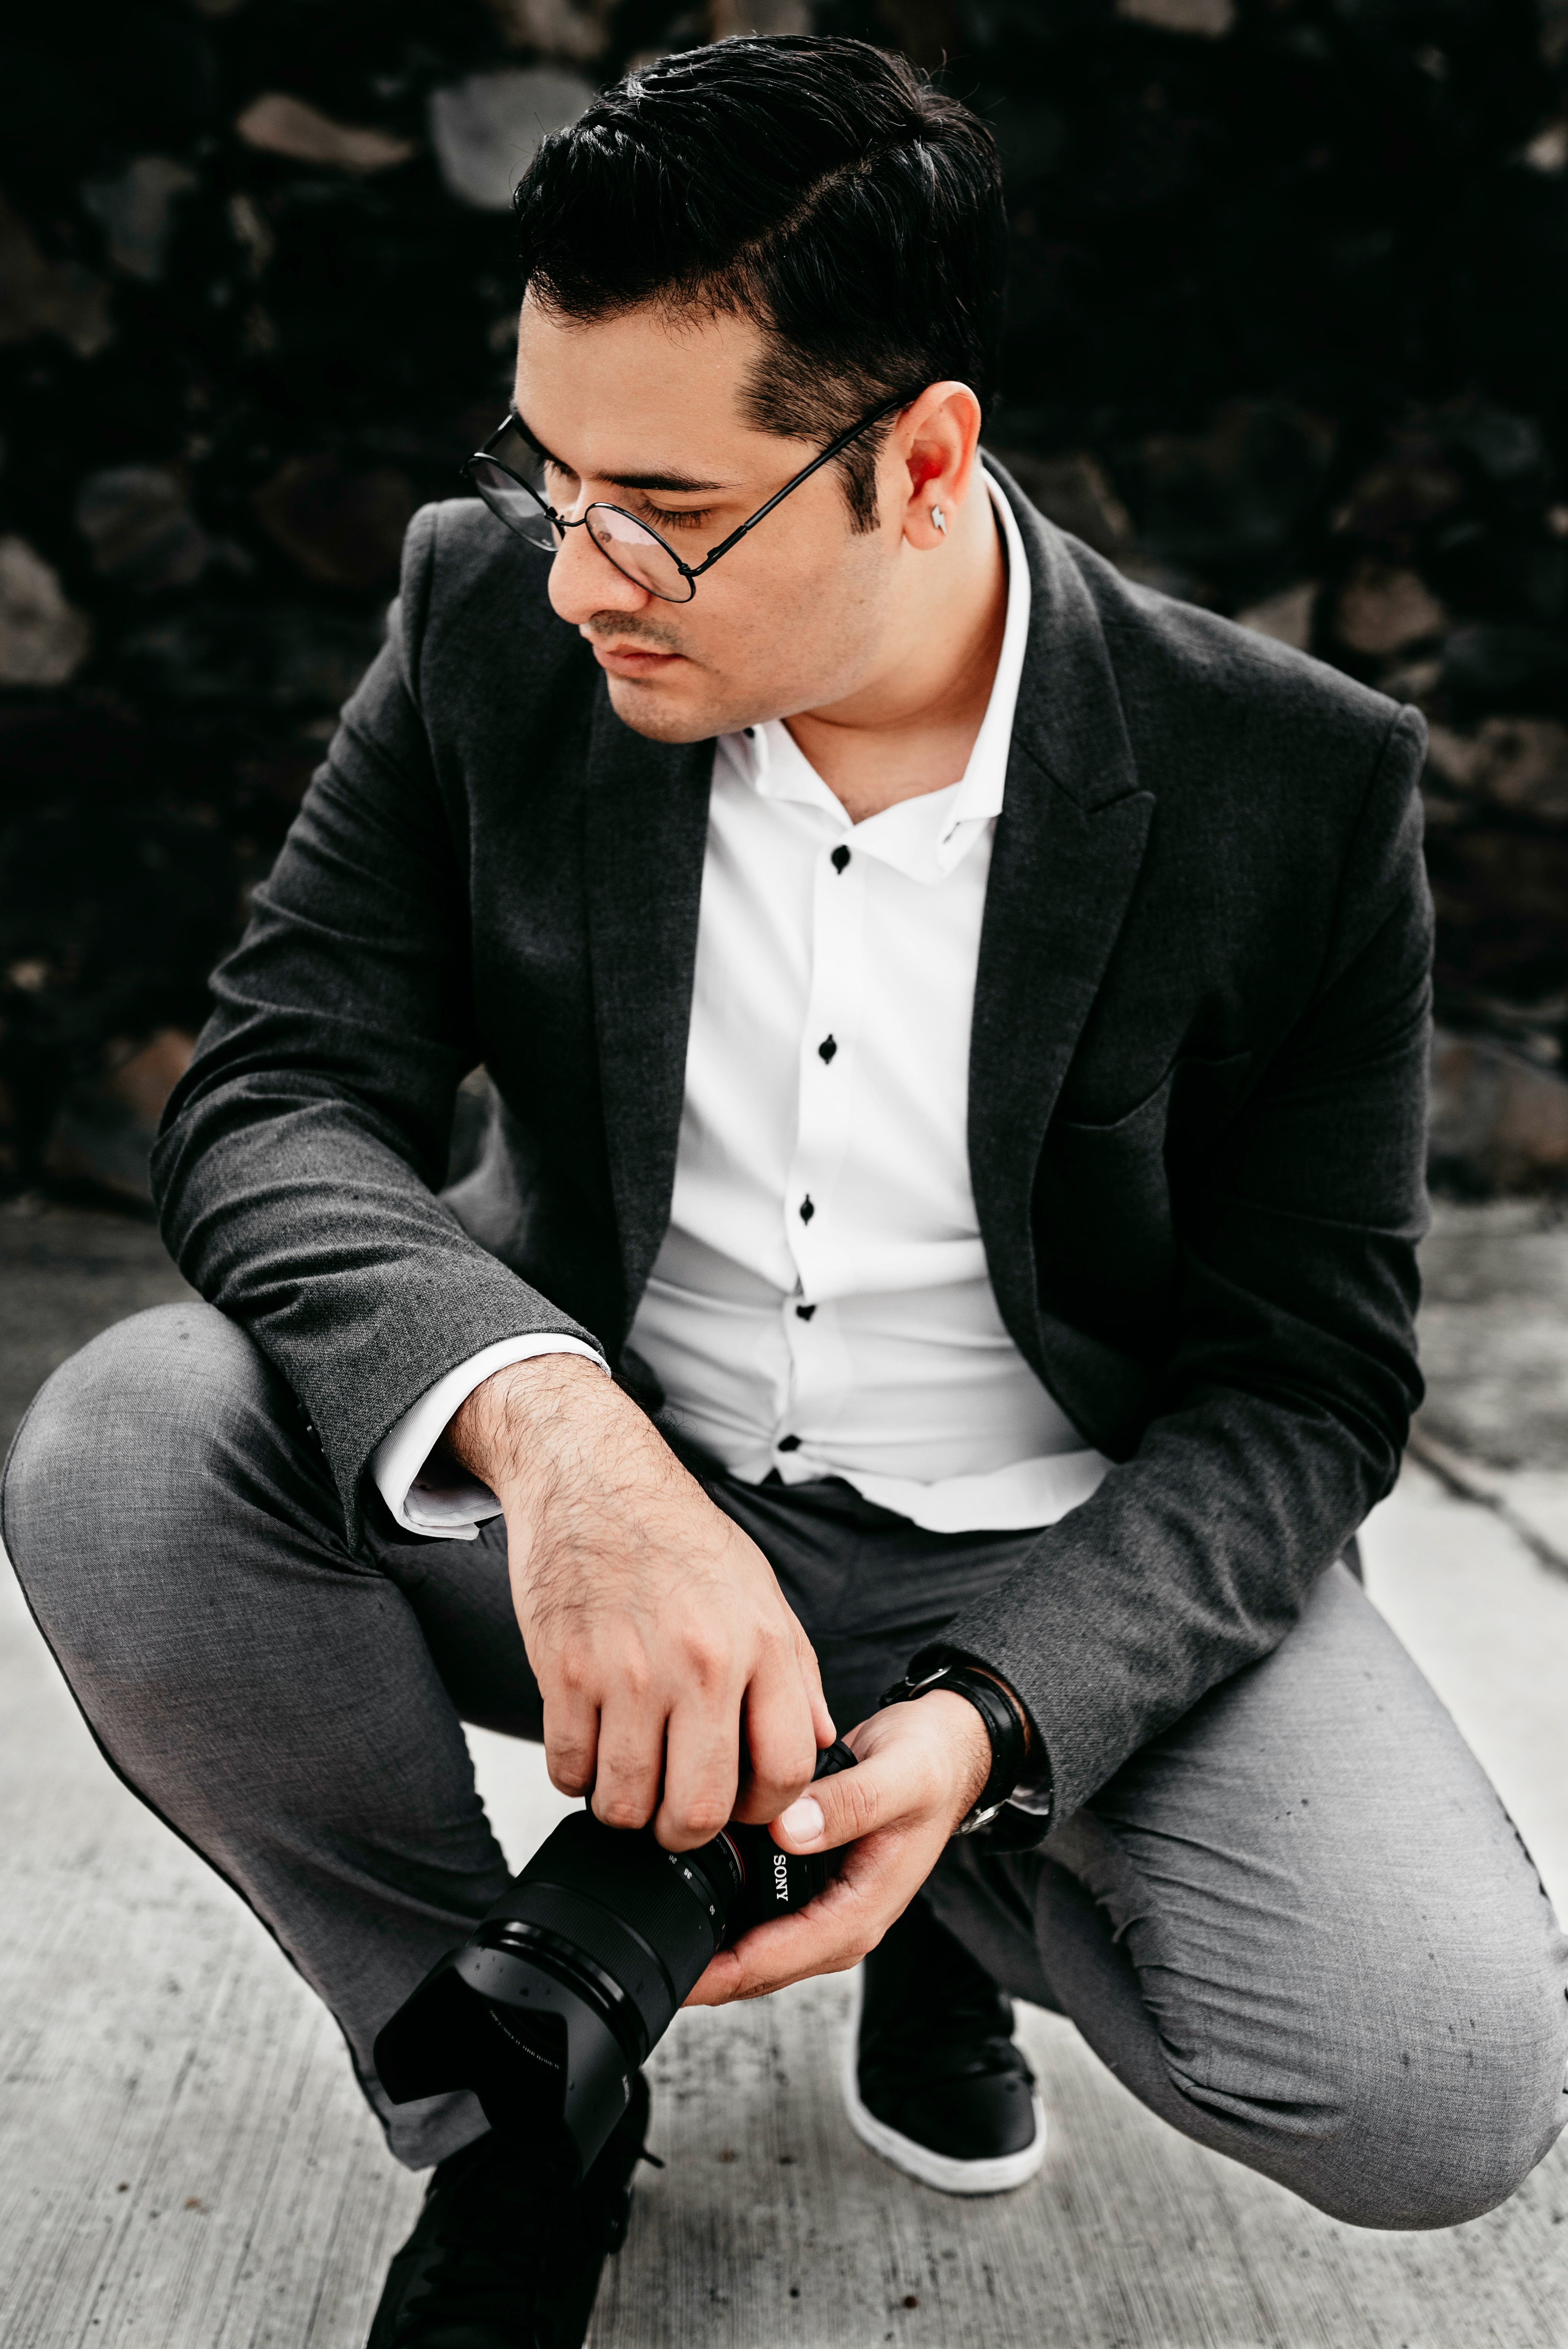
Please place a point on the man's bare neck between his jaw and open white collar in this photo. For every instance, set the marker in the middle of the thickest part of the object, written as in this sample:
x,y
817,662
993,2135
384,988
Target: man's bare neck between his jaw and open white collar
x,y
912,729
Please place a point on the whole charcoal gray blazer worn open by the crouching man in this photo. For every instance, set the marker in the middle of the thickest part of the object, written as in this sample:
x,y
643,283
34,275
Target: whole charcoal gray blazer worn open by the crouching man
x,y
1196,1082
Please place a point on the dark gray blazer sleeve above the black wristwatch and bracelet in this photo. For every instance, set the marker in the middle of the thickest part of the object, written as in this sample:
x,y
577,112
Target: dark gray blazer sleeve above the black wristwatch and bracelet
x,y
1287,1399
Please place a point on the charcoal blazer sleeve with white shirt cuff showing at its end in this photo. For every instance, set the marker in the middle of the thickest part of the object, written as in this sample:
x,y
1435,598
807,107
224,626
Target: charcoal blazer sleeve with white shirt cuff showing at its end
x,y
299,1155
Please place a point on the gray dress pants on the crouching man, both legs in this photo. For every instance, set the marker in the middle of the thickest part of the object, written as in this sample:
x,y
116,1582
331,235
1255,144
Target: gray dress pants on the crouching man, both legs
x,y
1299,1925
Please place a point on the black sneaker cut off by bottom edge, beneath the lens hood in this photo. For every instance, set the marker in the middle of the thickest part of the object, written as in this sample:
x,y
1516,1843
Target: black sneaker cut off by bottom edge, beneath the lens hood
x,y
503,2261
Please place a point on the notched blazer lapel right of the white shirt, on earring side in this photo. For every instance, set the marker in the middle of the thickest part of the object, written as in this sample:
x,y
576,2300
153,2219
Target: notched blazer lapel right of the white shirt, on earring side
x,y
1067,859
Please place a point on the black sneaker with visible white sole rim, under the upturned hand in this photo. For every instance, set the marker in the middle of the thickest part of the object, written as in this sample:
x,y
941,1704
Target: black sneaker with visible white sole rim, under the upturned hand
x,y
933,2075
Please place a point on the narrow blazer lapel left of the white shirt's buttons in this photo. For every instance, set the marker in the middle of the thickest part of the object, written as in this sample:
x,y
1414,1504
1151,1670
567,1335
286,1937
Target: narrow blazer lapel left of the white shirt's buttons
x,y
647,835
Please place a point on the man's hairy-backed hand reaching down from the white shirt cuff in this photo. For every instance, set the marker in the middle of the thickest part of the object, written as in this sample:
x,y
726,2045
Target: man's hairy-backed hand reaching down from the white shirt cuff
x,y
654,1627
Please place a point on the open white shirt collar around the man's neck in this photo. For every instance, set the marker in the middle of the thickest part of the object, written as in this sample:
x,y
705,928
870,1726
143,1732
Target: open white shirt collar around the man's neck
x,y
924,837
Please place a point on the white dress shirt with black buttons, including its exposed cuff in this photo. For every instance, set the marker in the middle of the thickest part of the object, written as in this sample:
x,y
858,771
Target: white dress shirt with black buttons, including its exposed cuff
x,y
823,1305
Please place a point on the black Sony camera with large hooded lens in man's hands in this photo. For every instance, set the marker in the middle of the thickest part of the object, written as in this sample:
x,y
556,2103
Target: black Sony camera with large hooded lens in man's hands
x,y
562,1991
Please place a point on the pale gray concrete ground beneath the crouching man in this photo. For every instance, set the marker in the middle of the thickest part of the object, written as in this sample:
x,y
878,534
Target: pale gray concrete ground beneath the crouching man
x,y
184,2162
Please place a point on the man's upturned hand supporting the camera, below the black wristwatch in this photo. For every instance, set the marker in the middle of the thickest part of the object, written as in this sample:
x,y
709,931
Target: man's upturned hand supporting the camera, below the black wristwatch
x,y
919,1772
